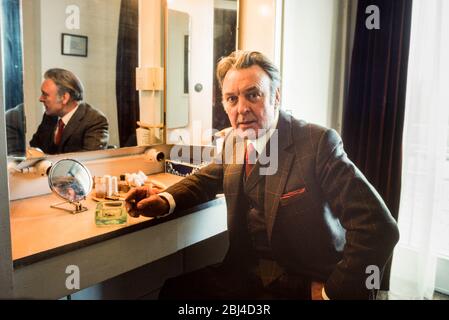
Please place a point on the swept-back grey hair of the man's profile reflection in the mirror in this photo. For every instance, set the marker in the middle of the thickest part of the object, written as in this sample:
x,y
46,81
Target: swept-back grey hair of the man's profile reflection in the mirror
x,y
66,81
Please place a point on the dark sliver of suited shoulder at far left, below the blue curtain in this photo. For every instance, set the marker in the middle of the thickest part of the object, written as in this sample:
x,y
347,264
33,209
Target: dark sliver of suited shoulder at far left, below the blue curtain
x,y
15,130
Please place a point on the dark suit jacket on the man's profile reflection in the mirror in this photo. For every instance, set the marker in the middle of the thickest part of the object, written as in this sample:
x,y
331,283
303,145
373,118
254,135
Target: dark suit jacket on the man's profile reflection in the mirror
x,y
87,130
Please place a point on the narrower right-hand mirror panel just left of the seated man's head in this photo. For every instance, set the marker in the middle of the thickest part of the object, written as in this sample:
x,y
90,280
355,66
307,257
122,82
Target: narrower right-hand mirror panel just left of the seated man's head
x,y
199,33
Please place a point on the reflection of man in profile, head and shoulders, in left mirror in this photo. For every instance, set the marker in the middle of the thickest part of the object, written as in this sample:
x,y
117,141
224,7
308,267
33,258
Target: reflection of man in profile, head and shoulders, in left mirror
x,y
68,125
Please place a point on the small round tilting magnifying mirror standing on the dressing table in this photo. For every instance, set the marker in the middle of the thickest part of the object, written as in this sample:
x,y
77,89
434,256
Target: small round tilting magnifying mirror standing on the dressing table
x,y
70,180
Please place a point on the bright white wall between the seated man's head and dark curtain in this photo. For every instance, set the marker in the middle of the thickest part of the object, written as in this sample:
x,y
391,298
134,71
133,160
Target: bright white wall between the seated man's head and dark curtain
x,y
314,58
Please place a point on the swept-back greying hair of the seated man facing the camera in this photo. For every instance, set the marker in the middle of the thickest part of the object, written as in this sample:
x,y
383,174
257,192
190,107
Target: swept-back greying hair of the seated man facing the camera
x,y
245,59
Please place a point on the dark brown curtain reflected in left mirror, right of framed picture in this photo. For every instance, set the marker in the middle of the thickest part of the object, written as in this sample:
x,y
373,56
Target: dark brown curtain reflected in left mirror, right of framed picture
x,y
127,62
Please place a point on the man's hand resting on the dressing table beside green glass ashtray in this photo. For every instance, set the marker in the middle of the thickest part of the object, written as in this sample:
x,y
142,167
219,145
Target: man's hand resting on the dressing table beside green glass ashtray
x,y
145,201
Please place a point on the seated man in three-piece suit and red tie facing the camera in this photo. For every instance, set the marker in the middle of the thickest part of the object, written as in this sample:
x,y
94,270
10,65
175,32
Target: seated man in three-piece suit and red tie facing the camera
x,y
307,230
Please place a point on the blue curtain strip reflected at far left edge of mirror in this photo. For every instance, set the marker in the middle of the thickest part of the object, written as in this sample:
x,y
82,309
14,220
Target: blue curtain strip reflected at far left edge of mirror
x,y
12,53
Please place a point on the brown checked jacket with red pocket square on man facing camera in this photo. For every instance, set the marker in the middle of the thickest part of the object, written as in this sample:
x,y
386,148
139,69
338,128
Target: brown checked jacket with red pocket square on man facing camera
x,y
324,220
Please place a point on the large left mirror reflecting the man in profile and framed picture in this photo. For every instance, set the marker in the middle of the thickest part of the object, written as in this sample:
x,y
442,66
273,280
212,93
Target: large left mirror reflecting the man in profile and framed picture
x,y
98,41
